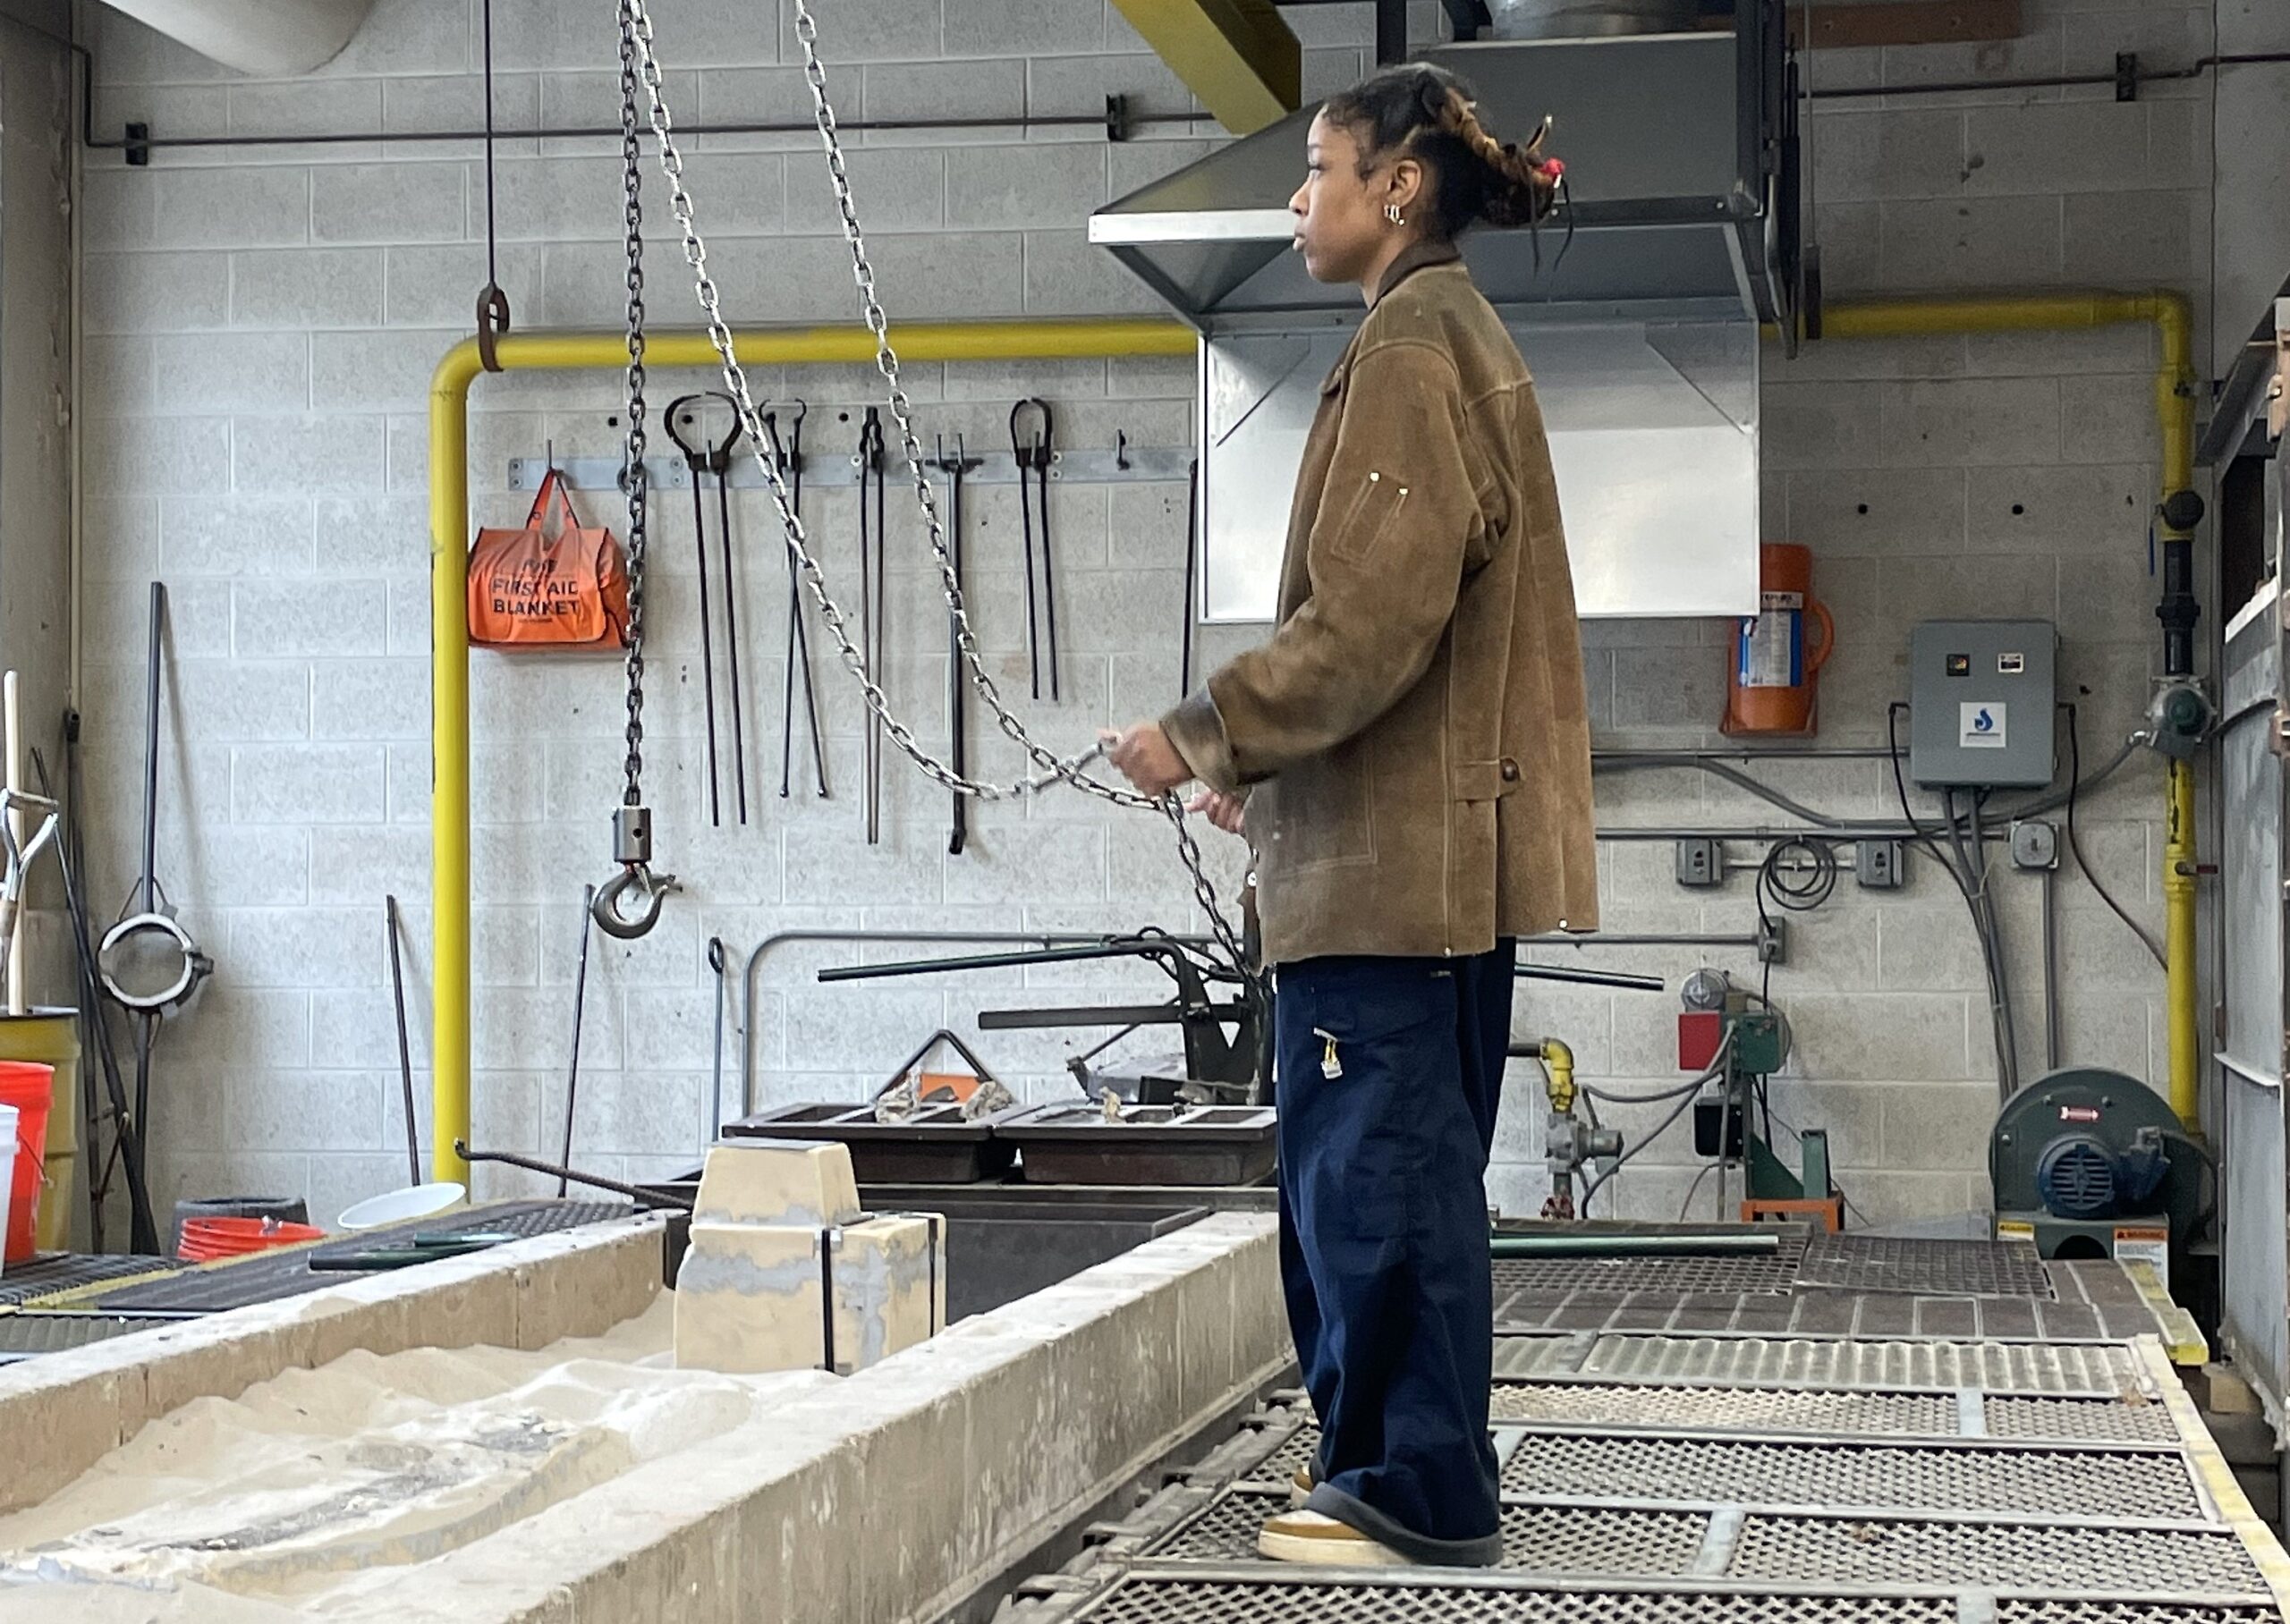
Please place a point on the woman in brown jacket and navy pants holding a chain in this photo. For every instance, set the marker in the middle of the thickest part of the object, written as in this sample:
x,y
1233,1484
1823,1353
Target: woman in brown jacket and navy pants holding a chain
x,y
1409,757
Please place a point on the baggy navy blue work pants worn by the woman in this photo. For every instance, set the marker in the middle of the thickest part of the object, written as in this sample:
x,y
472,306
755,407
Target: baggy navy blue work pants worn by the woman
x,y
1389,1080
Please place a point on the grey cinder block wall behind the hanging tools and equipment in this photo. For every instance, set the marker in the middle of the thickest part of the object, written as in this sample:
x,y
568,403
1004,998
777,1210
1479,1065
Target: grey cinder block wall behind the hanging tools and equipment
x,y
262,326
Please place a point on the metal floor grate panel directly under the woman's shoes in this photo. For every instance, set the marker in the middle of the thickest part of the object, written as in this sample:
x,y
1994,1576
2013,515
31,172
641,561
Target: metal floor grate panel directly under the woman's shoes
x,y
1538,1538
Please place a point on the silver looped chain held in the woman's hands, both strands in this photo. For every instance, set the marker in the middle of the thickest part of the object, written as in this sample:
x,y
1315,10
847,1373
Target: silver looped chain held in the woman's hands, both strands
x,y
1052,766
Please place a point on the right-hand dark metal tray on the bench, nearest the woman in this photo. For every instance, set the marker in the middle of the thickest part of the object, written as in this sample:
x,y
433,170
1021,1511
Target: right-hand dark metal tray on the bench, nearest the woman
x,y
1077,1144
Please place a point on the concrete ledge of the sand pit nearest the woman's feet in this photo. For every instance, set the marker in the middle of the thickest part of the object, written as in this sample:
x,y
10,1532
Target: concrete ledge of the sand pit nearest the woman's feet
x,y
894,1492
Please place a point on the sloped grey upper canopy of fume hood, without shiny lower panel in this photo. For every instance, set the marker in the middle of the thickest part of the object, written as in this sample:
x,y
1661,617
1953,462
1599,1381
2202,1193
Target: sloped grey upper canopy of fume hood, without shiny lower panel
x,y
1680,161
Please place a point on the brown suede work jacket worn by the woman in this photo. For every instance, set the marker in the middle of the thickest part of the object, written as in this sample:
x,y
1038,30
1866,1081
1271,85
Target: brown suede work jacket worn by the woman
x,y
1416,734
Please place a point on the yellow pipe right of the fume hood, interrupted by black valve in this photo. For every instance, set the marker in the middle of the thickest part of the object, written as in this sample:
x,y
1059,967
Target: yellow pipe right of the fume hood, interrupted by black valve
x,y
2174,416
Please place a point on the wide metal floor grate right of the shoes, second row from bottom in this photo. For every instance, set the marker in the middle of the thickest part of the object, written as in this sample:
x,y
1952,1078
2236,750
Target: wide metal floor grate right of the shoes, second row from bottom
x,y
2046,1556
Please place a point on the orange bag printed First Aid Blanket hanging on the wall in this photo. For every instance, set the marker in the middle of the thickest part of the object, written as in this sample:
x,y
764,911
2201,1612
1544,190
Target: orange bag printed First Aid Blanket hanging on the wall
x,y
548,585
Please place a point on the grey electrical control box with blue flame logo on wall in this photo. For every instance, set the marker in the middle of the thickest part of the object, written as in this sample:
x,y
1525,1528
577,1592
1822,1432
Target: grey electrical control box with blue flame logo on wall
x,y
1982,714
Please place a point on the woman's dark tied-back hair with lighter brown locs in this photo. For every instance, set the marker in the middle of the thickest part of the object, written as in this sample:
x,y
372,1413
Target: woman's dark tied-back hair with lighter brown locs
x,y
1430,113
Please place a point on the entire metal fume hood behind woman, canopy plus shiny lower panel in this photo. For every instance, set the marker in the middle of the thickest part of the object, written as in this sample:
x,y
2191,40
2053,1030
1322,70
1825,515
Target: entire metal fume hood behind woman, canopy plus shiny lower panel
x,y
1643,340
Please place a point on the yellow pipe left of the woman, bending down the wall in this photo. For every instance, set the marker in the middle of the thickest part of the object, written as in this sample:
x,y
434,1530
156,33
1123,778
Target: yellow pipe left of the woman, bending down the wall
x,y
450,585
